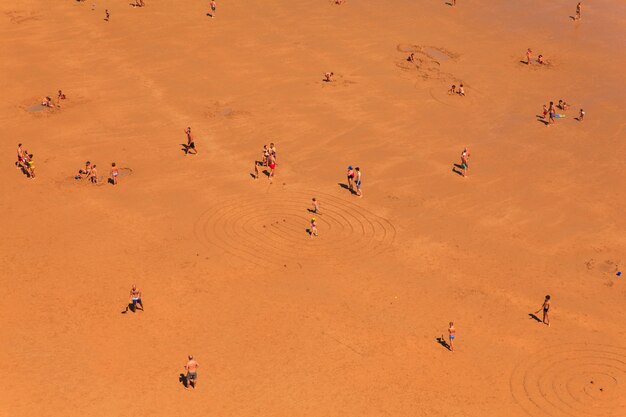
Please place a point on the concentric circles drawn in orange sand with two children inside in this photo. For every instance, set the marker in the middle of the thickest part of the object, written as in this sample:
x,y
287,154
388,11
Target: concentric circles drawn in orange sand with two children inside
x,y
272,230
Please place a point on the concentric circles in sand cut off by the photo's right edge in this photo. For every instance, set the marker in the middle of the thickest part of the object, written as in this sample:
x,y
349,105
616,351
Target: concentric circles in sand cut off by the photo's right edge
x,y
573,380
